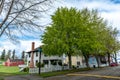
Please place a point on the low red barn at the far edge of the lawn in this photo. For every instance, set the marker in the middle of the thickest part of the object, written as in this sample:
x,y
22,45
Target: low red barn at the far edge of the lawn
x,y
14,62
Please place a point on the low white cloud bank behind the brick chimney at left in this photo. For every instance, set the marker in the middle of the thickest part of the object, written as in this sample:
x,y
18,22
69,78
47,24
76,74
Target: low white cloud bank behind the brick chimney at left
x,y
23,46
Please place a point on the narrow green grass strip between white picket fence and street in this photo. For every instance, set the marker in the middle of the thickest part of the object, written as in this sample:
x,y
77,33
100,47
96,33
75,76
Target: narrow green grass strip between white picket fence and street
x,y
56,73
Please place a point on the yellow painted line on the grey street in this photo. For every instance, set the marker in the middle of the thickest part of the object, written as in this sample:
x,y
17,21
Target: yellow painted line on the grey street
x,y
92,75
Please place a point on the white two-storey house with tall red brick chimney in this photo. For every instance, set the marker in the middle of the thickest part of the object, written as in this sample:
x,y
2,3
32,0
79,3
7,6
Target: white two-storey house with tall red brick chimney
x,y
33,57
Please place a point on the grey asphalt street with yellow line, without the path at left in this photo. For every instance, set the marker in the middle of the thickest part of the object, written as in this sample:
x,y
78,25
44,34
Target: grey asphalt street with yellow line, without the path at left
x,y
108,73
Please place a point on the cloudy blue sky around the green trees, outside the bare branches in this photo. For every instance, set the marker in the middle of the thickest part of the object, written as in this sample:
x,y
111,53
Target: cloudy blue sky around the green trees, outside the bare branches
x,y
108,9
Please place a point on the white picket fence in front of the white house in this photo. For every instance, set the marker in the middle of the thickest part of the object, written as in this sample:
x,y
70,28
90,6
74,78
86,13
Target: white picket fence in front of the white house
x,y
54,68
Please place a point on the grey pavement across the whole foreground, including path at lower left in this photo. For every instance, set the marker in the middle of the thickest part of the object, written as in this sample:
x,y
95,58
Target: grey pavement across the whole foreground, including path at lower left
x,y
109,73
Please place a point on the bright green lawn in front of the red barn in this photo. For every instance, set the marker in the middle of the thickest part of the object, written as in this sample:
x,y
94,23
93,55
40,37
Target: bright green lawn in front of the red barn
x,y
8,71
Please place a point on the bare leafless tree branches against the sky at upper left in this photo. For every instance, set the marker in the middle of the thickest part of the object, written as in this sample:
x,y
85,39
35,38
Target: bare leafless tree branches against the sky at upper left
x,y
21,15
